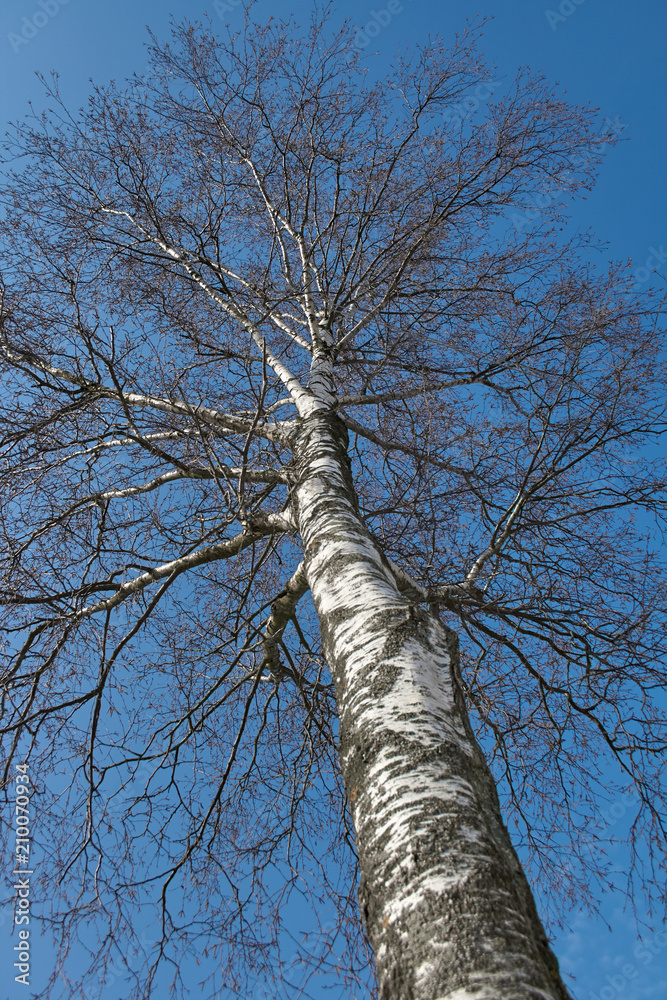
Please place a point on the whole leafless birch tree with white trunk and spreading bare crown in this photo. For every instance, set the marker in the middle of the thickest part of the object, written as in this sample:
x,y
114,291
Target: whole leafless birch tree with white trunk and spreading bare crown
x,y
270,329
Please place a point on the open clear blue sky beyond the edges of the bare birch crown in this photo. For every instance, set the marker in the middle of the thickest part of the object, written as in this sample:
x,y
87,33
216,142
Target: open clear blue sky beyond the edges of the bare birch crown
x,y
606,52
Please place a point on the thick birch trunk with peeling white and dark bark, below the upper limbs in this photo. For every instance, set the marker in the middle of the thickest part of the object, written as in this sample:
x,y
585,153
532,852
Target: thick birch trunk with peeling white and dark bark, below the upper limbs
x,y
447,907
